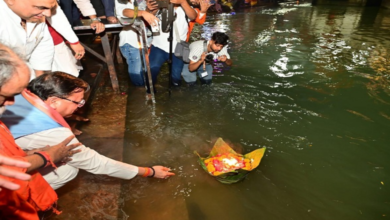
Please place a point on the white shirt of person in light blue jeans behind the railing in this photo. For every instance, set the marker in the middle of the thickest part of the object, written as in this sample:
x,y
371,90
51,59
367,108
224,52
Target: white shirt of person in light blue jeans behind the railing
x,y
128,35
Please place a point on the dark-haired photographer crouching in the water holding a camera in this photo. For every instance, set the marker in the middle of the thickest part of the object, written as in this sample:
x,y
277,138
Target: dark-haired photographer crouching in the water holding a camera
x,y
201,57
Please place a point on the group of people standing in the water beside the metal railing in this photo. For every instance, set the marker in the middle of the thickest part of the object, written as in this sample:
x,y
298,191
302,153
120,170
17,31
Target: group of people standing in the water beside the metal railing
x,y
187,15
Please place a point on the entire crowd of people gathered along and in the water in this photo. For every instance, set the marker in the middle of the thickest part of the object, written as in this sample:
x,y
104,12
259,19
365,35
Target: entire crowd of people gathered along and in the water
x,y
39,88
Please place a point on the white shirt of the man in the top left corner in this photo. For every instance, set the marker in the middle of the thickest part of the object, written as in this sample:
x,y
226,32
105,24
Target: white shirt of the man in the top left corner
x,y
35,41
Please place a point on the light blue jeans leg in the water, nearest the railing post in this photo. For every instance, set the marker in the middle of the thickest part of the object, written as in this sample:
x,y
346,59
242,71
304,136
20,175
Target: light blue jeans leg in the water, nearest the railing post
x,y
133,60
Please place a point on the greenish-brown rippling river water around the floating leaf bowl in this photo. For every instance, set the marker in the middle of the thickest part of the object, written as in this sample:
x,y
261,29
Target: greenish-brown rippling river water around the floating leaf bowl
x,y
311,84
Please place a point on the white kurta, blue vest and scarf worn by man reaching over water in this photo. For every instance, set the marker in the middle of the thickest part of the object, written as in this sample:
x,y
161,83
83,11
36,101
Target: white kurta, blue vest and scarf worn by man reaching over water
x,y
30,126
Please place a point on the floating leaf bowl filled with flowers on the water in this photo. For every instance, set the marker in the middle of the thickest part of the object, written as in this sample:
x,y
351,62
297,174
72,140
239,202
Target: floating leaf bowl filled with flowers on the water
x,y
226,165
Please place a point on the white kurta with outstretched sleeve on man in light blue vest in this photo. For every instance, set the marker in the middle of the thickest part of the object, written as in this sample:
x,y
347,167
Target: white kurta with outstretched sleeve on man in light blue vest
x,y
88,159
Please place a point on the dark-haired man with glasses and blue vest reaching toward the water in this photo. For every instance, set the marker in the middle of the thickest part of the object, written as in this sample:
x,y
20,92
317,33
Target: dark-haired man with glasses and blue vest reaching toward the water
x,y
38,117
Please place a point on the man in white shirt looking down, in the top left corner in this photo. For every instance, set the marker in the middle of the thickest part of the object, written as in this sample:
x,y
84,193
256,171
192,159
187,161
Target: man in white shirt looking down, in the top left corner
x,y
22,29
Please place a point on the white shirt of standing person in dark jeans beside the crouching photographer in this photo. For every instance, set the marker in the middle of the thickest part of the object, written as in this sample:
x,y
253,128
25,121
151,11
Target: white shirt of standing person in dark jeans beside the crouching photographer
x,y
161,41
